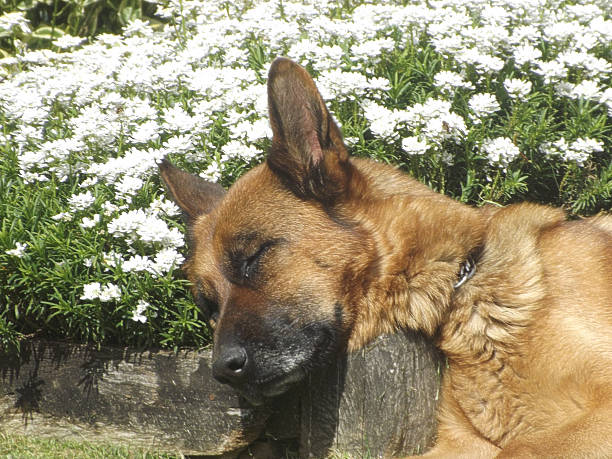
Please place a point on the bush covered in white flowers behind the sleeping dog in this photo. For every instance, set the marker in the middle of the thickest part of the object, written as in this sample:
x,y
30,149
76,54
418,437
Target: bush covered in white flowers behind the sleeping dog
x,y
485,101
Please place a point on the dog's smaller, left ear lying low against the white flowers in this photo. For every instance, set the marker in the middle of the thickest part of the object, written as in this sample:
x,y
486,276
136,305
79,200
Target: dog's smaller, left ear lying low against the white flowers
x,y
194,195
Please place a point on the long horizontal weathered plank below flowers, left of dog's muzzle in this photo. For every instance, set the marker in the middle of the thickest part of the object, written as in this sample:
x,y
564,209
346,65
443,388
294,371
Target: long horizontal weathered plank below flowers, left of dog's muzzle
x,y
154,399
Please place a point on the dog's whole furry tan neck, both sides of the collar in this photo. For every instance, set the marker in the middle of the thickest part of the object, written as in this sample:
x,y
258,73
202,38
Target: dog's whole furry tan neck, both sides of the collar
x,y
415,265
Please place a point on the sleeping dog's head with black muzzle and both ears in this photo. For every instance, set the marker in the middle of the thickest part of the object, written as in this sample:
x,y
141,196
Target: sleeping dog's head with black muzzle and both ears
x,y
274,263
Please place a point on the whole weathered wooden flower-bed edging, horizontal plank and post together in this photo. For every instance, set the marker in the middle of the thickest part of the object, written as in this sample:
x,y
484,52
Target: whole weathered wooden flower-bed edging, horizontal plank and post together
x,y
379,401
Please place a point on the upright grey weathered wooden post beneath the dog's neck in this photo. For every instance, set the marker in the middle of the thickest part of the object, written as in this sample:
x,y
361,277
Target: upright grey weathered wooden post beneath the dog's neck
x,y
379,402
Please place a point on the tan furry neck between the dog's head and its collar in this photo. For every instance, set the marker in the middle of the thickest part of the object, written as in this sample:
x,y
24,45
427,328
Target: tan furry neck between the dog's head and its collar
x,y
418,263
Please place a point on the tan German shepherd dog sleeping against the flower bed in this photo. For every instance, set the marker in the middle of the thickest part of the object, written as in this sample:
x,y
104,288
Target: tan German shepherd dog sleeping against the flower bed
x,y
314,253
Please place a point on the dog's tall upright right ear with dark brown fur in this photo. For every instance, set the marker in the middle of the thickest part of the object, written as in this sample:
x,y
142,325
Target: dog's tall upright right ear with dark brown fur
x,y
307,149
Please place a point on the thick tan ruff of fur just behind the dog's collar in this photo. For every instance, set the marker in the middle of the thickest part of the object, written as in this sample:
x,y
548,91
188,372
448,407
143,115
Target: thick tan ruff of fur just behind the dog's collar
x,y
492,311
